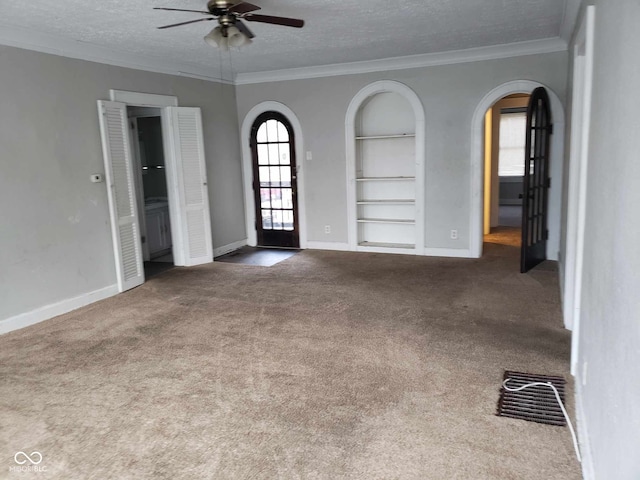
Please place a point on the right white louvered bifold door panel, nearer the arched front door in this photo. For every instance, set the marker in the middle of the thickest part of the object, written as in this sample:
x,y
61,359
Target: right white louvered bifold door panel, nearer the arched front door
x,y
188,149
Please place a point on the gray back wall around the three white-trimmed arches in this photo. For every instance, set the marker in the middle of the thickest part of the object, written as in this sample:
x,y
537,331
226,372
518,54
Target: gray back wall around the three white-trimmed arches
x,y
450,95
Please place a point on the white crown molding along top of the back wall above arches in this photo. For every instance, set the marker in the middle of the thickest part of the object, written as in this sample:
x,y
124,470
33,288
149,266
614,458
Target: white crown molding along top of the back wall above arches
x,y
548,45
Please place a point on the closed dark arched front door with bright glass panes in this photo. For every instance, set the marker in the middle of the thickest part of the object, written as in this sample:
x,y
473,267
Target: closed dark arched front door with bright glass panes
x,y
274,181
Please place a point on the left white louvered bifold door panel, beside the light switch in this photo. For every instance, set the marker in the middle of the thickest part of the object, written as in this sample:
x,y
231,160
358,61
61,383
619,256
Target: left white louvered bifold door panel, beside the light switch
x,y
122,196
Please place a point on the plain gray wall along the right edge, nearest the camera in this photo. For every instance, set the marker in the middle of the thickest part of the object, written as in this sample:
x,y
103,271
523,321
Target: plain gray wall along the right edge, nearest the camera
x,y
609,344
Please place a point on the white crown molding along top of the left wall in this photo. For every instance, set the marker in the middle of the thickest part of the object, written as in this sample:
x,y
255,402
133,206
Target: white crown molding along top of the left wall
x,y
56,45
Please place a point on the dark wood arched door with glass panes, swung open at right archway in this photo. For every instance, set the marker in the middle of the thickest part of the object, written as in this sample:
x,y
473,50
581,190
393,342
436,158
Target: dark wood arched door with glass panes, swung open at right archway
x,y
536,181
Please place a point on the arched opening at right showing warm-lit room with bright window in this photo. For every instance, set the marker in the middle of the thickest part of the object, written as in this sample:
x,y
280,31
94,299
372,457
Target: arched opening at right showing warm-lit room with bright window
x,y
505,138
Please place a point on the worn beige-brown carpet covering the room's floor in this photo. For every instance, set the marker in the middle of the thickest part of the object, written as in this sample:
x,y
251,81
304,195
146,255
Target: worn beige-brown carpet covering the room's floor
x,y
328,365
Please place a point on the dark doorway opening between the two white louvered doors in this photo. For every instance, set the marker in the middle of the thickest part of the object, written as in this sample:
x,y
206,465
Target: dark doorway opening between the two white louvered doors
x,y
152,198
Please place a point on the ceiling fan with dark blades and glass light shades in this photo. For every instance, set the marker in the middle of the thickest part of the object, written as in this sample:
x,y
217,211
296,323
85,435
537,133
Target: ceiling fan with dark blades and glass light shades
x,y
231,30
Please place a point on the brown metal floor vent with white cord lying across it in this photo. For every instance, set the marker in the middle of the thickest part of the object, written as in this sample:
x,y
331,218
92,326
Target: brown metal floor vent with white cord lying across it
x,y
535,404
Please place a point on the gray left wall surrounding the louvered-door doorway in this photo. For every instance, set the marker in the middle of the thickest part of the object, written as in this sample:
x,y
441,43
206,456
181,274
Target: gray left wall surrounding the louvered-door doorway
x,y
55,240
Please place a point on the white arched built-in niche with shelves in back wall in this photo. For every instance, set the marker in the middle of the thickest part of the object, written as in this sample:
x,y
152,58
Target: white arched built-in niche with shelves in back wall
x,y
385,169
